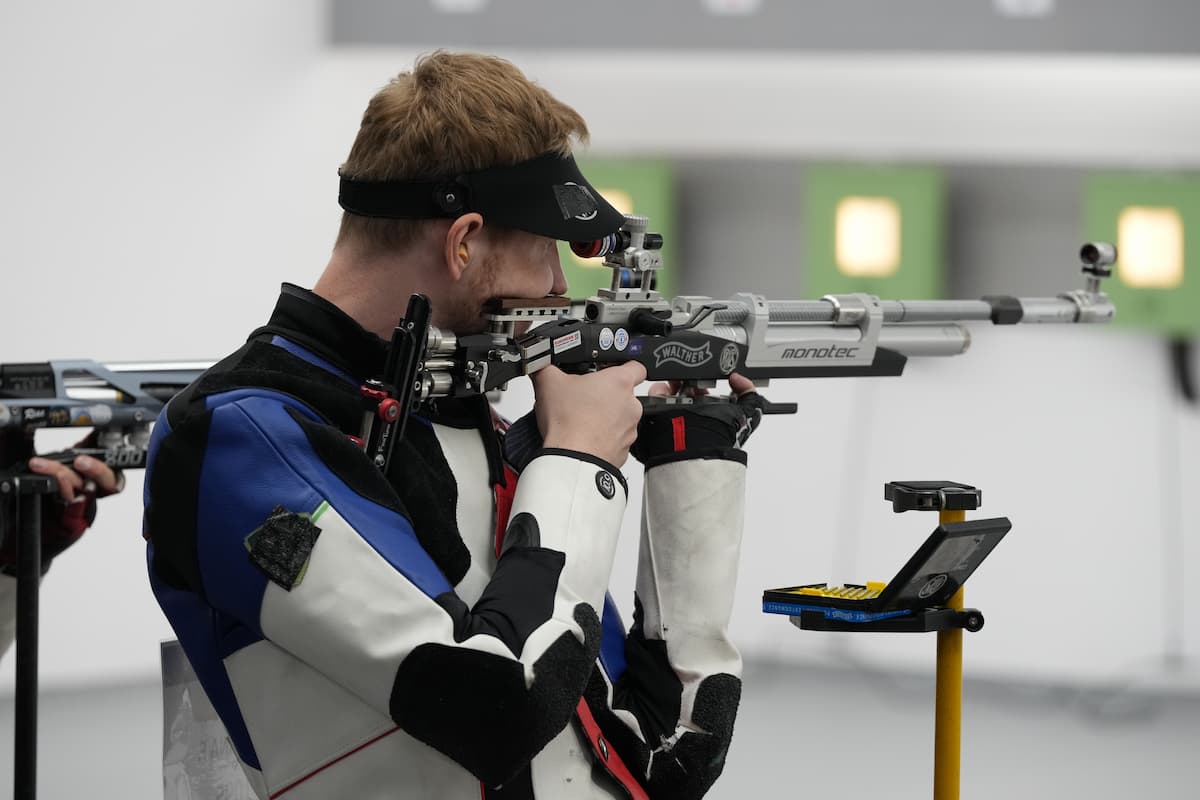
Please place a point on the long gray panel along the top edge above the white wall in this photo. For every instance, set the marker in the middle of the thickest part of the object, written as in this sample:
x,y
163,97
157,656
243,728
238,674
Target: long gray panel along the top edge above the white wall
x,y
875,26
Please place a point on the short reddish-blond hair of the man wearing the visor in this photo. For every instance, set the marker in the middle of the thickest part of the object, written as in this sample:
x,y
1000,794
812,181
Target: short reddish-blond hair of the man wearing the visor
x,y
454,113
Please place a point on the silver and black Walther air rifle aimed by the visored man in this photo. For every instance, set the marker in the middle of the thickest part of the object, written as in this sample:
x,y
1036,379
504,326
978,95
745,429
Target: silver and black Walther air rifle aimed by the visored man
x,y
699,340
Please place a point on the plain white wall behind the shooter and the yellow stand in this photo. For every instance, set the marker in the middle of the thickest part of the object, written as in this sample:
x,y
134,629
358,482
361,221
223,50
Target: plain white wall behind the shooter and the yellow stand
x,y
167,172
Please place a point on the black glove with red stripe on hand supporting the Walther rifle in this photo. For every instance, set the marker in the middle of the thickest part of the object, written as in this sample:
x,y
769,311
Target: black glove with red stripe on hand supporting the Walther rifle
x,y
705,429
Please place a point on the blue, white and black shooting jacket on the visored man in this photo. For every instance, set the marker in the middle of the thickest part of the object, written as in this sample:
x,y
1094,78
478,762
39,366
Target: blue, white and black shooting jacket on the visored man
x,y
443,630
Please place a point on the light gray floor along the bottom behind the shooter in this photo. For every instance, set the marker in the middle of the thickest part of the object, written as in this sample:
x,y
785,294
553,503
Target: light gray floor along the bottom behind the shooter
x,y
802,731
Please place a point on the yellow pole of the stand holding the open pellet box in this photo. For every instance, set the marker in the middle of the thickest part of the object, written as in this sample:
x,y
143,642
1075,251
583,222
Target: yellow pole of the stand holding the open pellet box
x,y
949,709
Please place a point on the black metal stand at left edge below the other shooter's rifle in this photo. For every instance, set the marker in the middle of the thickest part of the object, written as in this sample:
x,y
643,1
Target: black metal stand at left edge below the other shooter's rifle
x,y
27,492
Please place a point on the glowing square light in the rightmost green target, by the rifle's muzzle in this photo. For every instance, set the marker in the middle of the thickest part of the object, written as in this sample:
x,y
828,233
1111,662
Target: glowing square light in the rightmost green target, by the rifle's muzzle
x,y
1150,246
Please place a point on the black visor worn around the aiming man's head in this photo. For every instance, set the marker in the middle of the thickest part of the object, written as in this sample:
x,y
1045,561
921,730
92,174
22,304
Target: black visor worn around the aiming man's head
x,y
547,196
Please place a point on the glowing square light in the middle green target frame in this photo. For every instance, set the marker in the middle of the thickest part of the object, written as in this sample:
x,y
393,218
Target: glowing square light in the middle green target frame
x,y
867,238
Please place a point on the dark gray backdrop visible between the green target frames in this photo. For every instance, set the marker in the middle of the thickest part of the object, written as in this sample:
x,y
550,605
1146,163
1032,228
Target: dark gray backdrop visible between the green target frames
x,y
1010,231
